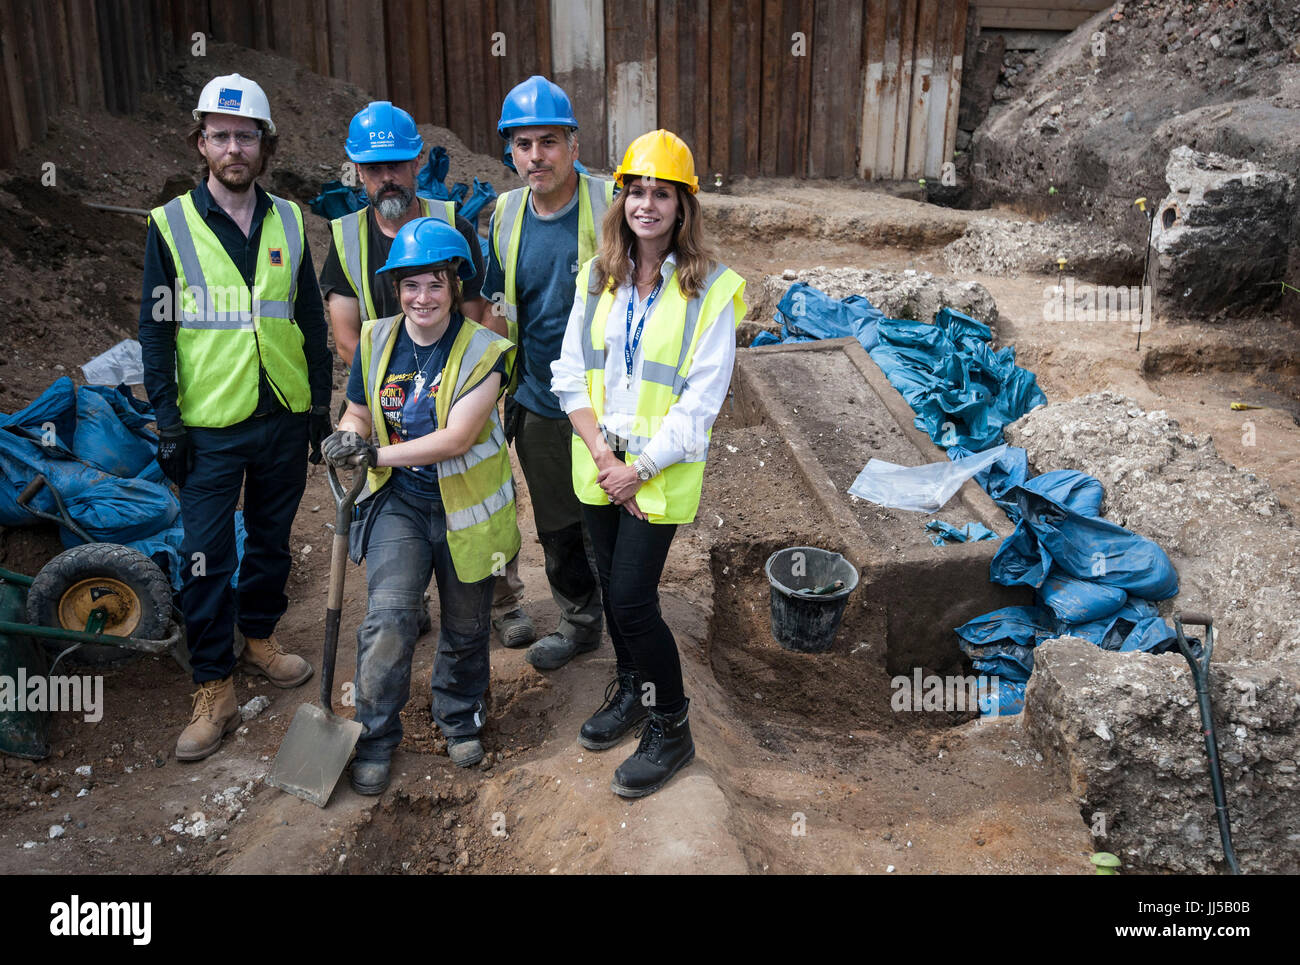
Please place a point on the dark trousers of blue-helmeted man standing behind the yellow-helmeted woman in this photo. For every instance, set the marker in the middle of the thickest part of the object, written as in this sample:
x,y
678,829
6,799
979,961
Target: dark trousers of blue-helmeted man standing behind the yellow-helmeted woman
x,y
544,449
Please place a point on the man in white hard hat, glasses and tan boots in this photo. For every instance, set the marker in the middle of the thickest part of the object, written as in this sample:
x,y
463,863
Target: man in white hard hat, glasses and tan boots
x,y
239,370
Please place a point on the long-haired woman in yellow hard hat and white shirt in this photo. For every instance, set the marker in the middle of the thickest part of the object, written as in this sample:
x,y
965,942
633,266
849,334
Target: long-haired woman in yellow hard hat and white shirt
x,y
645,369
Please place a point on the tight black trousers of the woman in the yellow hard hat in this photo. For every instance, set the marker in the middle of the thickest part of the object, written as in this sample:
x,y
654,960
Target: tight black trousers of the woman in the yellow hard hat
x,y
630,556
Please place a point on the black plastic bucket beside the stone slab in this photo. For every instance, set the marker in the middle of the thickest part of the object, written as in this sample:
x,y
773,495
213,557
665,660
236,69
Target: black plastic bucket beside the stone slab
x,y
803,621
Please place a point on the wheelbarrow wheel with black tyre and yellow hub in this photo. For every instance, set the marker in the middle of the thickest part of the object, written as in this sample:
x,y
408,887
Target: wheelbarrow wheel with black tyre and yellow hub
x,y
127,586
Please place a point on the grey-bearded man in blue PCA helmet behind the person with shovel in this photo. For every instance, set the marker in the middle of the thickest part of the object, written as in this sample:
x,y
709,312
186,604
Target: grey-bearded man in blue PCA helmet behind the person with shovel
x,y
385,145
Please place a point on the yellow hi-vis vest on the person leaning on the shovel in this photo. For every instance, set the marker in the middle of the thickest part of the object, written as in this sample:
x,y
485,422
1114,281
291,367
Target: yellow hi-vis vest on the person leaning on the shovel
x,y
478,491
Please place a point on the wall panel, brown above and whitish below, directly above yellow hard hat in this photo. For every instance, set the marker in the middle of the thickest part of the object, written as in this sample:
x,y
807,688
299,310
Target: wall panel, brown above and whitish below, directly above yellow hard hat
x,y
631,72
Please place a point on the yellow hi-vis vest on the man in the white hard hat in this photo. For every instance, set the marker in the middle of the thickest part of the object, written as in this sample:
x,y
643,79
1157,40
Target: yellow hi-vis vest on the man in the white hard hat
x,y
224,334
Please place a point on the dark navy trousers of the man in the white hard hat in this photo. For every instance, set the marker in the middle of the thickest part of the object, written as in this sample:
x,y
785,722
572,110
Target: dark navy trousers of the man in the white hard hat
x,y
266,458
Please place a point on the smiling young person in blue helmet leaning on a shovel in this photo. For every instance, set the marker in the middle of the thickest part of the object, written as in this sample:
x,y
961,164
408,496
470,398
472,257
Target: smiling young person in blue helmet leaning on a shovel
x,y
426,384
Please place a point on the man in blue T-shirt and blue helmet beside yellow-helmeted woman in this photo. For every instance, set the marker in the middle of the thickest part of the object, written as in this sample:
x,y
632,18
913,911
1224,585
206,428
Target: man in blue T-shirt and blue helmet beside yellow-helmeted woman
x,y
540,237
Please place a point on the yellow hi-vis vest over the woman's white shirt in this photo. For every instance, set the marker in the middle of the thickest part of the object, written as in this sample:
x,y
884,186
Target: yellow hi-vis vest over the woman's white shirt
x,y
669,349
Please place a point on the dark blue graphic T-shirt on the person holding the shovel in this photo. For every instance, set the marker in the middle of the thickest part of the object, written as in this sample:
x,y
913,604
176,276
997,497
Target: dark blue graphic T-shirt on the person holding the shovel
x,y
409,397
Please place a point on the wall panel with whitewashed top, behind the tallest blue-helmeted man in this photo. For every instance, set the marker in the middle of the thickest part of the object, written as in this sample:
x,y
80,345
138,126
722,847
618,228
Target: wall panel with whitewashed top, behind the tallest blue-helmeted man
x,y
578,59
